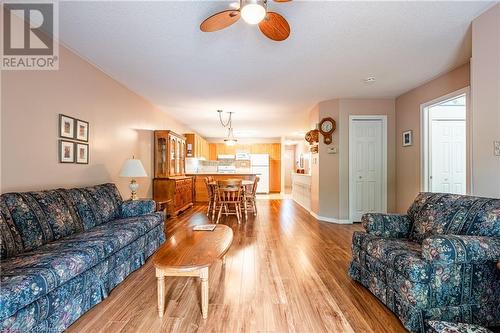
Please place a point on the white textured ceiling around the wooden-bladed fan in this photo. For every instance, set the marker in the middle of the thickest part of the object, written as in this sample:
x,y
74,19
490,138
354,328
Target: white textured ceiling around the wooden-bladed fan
x,y
157,50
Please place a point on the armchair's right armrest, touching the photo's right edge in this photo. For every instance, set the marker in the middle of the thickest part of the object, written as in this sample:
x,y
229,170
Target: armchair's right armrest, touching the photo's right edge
x,y
460,249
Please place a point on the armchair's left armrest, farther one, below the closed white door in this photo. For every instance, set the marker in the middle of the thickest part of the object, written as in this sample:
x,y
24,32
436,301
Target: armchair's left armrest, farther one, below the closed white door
x,y
387,225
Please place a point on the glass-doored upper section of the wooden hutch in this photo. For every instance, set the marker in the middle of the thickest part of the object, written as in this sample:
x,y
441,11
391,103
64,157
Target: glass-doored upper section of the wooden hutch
x,y
169,154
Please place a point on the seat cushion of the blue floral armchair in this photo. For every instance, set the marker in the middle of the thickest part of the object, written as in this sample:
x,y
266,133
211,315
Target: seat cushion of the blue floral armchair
x,y
402,256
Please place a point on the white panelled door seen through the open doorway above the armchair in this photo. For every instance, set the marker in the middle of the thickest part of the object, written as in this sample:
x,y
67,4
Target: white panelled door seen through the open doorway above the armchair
x,y
448,161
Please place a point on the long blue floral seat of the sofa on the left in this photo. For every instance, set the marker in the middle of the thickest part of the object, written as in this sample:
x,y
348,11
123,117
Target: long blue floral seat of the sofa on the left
x,y
31,275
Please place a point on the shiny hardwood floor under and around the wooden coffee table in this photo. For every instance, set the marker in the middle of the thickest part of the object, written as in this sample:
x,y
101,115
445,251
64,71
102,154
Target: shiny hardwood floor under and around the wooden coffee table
x,y
285,272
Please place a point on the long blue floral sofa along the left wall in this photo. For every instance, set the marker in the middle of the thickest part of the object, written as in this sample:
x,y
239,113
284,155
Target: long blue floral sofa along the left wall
x,y
63,250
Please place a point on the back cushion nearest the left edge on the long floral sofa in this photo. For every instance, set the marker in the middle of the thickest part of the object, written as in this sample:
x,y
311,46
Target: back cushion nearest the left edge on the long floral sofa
x,y
38,218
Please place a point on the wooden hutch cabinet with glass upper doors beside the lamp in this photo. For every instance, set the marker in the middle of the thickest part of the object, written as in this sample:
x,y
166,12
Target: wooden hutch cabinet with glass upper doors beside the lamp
x,y
170,182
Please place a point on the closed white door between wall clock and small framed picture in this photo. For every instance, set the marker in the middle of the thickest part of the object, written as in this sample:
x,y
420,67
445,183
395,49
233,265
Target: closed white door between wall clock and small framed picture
x,y
367,167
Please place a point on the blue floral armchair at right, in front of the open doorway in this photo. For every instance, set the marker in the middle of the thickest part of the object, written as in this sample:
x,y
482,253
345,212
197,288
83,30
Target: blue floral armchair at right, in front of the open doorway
x,y
438,262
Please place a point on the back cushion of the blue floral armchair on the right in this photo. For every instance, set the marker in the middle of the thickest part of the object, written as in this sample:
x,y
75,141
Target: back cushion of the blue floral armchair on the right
x,y
439,213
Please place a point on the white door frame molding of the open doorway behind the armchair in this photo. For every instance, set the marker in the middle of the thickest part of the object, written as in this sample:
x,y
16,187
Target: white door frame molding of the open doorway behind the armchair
x,y
424,138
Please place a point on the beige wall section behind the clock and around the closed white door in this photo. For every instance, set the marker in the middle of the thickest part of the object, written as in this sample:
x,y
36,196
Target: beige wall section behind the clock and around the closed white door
x,y
330,196
